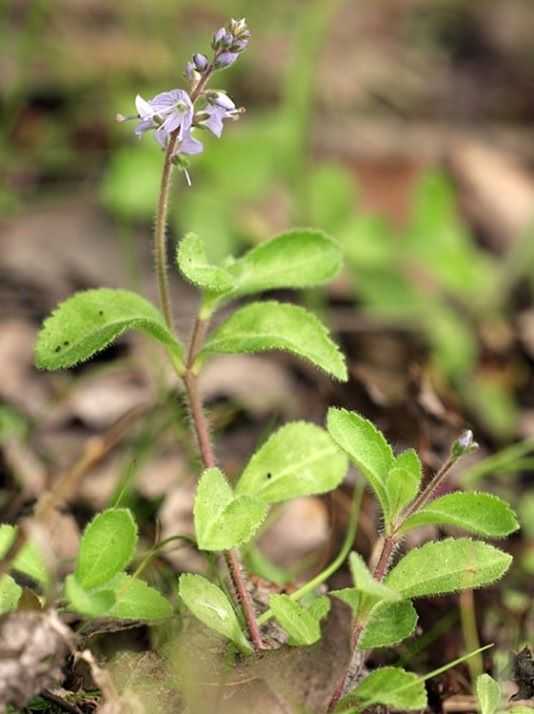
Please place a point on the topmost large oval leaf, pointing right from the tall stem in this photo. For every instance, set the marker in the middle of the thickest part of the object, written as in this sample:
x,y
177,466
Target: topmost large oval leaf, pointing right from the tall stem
x,y
301,258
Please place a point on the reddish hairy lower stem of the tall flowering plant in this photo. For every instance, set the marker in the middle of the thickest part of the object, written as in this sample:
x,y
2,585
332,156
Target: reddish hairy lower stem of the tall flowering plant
x,y
206,451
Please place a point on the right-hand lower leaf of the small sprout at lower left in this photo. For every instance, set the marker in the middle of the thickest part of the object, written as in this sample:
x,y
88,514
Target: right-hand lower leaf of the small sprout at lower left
x,y
135,600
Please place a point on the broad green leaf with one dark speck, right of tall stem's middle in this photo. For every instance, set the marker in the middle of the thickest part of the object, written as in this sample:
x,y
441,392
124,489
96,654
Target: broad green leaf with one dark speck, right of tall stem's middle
x,y
300,459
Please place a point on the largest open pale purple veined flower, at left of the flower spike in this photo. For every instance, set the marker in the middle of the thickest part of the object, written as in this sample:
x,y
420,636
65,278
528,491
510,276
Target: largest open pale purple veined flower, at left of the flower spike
x,y
166,113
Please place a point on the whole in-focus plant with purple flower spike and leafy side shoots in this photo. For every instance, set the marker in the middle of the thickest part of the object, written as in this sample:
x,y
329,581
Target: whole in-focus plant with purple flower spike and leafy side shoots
x,y
299,459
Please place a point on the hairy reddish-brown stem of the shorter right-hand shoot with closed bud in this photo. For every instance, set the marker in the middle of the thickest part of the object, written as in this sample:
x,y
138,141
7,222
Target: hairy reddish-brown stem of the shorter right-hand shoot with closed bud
x,y
389,545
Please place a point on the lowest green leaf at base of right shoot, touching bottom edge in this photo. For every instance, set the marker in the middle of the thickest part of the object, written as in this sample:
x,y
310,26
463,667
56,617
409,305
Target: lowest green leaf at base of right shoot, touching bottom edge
x,y
391,686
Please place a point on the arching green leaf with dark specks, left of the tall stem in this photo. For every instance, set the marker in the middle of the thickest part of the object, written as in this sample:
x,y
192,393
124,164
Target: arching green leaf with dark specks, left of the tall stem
x,y
89,321
